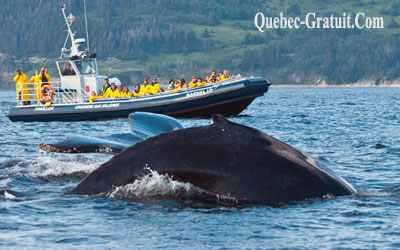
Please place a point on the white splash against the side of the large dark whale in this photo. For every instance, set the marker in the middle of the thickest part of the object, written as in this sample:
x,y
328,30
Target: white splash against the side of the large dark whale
x,y
155,186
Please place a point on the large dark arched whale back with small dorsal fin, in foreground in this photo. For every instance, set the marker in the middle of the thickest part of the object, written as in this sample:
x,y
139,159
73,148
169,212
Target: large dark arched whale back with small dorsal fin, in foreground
x,y
225,159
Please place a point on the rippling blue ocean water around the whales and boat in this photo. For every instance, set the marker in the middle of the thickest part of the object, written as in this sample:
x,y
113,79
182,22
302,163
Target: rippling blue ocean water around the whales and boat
x,y
353,131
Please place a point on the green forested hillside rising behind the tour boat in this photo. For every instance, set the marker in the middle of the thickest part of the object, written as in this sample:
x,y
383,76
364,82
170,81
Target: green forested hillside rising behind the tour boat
x,y
173,38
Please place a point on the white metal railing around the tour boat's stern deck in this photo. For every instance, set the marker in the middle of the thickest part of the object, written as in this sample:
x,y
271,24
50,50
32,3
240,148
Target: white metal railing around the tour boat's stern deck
x,y
32,94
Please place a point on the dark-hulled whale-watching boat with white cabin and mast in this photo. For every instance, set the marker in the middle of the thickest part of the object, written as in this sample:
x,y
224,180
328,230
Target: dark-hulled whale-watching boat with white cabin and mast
x,y
69,98
